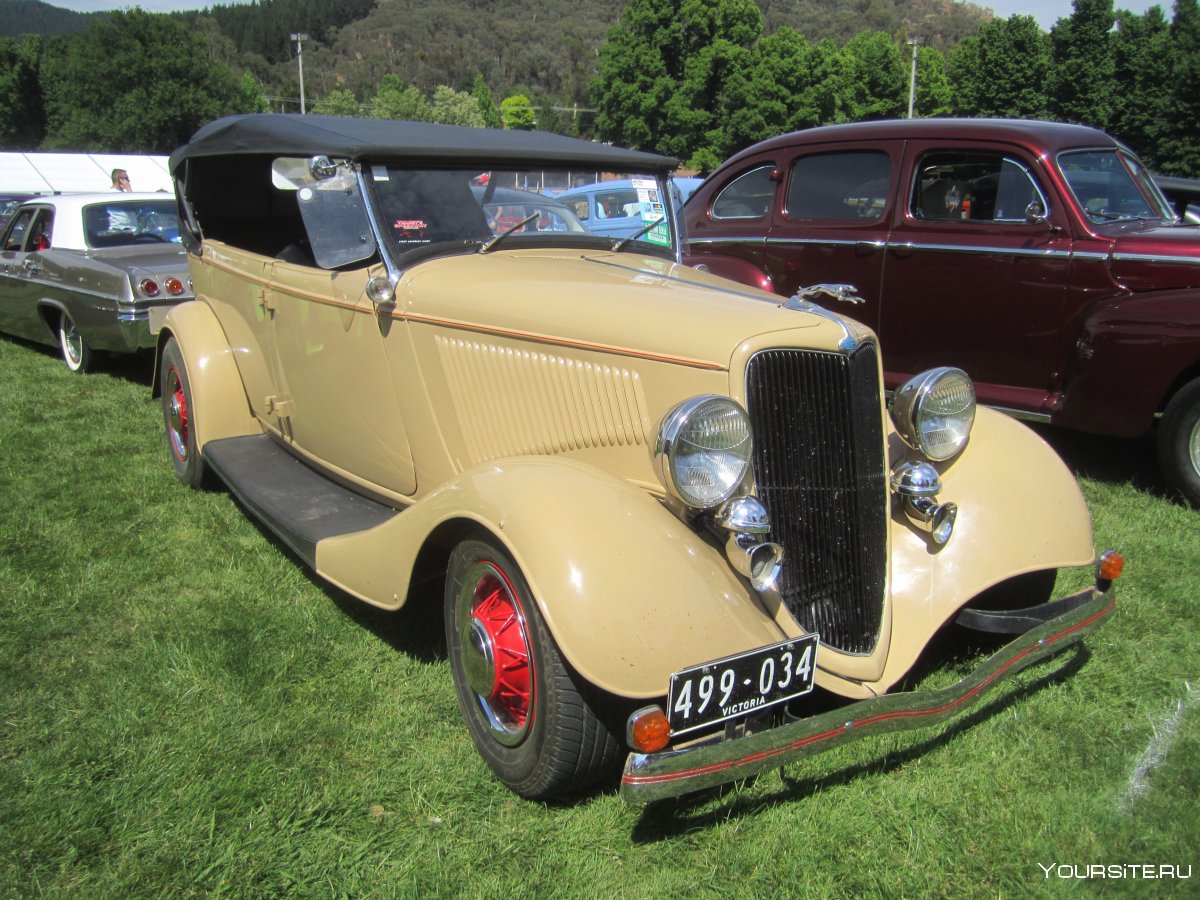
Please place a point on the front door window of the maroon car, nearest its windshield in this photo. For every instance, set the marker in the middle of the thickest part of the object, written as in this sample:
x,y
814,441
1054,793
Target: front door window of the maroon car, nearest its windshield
x,y
956,187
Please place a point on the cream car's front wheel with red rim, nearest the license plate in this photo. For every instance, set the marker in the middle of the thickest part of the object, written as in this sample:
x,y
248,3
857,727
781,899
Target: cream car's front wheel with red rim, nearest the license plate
x,y
527,718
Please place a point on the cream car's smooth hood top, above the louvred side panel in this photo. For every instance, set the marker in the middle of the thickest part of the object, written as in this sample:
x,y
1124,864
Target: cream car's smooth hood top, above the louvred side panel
x,y
623,303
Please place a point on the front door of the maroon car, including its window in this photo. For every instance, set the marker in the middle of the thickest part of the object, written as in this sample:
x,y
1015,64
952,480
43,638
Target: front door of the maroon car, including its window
x,y
977,272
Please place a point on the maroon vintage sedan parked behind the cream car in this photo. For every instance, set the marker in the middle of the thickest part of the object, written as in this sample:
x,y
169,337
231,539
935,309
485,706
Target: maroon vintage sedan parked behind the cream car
x,y
1039,257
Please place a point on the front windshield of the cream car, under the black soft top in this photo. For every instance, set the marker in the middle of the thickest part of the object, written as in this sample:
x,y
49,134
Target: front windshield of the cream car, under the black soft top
x,y
423,208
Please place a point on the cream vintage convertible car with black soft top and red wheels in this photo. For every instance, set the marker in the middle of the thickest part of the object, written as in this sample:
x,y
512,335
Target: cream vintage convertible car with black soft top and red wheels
x,y
663,508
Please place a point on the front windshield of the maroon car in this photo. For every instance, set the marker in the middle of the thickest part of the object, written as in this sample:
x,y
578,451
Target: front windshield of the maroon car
x,y
1113,187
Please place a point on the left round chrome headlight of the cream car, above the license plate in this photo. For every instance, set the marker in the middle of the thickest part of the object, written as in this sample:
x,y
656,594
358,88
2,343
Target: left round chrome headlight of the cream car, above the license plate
x,y
704,451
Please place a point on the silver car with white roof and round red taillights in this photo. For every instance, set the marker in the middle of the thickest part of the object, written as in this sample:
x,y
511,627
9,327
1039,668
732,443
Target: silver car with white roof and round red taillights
x,y
83,272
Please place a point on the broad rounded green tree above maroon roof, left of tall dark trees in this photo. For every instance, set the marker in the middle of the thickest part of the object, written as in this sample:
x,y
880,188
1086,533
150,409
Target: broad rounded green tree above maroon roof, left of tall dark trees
x,y
1003,71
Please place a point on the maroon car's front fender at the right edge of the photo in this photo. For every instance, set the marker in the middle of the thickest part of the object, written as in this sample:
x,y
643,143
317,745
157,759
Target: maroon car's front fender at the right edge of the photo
x,y
1131,356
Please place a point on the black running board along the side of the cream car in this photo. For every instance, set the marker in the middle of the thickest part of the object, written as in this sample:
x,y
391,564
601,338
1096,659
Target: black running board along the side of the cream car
x,y
296,502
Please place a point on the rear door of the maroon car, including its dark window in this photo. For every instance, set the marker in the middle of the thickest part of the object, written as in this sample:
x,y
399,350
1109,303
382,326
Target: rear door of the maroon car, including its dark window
x,y
831,223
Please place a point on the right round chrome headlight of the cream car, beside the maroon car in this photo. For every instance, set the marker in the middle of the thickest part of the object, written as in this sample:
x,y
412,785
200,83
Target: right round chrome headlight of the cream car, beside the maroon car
x,y
934,412
